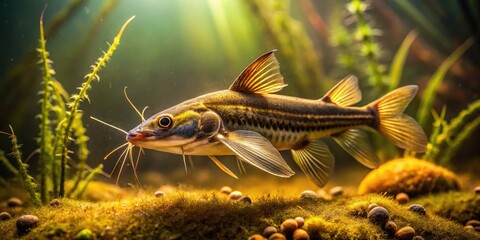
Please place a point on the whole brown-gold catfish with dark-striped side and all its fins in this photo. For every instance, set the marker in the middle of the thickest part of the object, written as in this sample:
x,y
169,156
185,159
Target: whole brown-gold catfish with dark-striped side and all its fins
x,y
251,122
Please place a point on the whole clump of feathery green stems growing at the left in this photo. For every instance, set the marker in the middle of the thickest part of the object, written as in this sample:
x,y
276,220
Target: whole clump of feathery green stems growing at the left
x,y
59,111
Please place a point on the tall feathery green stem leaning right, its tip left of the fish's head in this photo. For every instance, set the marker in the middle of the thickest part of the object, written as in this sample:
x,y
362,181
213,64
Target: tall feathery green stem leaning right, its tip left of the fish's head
x,y
76,99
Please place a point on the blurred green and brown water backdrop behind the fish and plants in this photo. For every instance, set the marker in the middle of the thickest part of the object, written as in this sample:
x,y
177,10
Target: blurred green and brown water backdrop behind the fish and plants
x,y
176,50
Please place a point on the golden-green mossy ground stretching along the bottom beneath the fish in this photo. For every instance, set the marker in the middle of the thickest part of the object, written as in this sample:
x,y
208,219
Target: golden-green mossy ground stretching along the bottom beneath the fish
x,y
207,214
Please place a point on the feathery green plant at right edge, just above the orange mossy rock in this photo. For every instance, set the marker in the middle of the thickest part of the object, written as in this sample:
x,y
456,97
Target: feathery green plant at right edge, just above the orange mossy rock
x,y
447,138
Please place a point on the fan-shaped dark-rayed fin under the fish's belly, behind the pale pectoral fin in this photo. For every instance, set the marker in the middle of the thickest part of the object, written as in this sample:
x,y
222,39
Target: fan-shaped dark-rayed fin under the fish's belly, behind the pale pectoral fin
x,y
316,161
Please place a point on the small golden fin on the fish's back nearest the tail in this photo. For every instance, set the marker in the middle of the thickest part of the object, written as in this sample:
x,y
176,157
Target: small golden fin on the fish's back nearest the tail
x,y
345,93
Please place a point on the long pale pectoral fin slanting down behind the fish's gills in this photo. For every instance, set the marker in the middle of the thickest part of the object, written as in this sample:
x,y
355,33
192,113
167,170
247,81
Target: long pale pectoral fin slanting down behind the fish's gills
x,y
253,148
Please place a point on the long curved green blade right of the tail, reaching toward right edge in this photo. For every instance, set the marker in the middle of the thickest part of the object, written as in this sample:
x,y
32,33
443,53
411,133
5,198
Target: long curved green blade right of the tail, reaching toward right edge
x,y
436,79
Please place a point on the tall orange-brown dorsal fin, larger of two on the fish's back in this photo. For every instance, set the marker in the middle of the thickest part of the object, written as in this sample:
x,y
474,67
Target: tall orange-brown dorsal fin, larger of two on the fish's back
x,y
262,76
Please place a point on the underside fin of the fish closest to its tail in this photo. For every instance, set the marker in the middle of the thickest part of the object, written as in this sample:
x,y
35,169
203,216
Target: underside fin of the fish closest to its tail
x,y
355,142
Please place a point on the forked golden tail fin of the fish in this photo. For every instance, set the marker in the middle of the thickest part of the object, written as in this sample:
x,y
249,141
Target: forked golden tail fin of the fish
x,y
399,128
